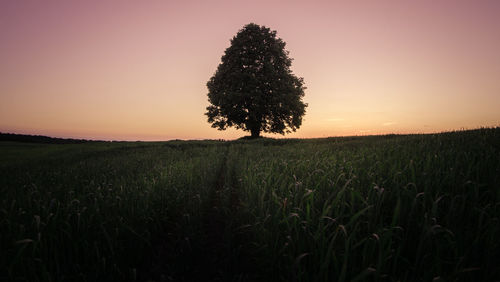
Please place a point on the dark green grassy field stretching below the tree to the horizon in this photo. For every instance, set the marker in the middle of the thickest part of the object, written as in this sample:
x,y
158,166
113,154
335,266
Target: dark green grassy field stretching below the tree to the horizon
x,y
375,208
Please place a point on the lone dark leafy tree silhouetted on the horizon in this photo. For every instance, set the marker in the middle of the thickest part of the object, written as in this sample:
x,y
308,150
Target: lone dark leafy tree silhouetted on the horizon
x,y
254,88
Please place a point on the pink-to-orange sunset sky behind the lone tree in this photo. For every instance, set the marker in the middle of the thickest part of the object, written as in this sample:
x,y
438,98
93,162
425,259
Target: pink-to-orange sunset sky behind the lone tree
x,y
137,70
